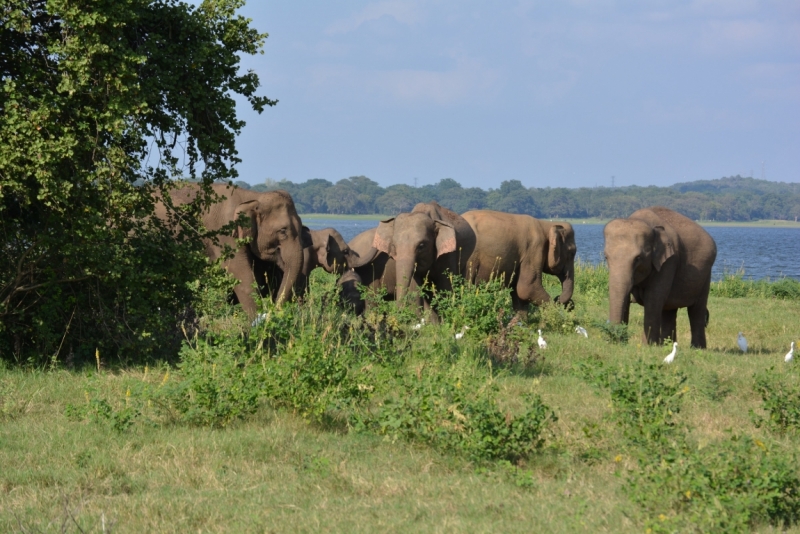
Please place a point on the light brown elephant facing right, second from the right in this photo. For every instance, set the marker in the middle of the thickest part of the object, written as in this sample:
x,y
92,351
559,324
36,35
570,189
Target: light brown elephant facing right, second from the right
x,y
522,248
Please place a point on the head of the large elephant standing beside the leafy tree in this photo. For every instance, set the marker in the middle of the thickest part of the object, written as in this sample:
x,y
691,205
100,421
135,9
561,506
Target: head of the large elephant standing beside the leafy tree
x,y
271,223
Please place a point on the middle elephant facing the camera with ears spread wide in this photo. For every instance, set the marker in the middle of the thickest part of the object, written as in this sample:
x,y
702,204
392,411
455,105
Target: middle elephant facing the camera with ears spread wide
x,y
430,242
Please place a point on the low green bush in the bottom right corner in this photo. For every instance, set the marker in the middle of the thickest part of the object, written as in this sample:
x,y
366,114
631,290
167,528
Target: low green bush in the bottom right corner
x,y
728,486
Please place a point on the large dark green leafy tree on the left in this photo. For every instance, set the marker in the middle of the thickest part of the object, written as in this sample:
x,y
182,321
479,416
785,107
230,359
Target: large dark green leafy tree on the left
x,y
102,103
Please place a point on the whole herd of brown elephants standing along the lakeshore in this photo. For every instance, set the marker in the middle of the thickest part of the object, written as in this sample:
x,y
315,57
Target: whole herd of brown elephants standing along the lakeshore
x,y
656,257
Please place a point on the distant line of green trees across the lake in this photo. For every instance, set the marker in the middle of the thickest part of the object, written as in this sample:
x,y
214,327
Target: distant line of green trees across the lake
x,y
728,199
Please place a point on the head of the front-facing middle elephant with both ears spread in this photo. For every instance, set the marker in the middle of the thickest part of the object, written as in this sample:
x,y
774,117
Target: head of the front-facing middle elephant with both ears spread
x,y
413,241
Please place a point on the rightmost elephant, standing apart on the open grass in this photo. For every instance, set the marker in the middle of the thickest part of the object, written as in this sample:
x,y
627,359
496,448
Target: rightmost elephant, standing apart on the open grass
x,y
663,261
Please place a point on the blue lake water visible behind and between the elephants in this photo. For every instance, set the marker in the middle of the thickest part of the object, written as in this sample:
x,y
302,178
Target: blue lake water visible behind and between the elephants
x,y
761,252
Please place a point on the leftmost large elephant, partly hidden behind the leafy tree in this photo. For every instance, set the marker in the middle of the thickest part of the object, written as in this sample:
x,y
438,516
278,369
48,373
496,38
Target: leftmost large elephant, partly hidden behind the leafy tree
x,y
272,226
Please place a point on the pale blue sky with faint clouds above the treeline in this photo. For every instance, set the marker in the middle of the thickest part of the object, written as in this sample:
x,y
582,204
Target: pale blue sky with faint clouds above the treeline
x,y
551,93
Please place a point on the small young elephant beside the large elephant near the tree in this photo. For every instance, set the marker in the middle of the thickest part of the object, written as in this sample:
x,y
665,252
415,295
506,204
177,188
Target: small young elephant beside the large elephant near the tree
x,y
324,248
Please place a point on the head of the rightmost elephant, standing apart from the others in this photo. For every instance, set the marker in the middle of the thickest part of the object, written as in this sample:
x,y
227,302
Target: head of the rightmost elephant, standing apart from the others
x,y
633,250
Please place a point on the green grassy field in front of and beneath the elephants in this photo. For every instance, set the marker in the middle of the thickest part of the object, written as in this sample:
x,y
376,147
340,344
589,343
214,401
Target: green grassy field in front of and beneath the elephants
x,y
69,464
